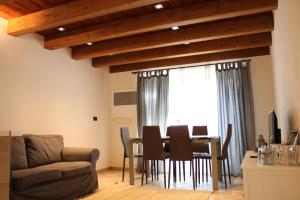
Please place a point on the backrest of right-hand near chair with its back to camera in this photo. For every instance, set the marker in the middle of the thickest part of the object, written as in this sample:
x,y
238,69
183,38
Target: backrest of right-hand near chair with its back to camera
x,y
180,143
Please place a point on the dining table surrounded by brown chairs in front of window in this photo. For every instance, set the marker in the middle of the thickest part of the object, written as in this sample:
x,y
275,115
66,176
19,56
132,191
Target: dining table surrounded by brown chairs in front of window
x,y
215,151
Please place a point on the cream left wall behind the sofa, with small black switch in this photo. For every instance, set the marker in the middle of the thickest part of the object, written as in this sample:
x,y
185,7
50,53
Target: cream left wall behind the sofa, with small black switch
x,y
44,92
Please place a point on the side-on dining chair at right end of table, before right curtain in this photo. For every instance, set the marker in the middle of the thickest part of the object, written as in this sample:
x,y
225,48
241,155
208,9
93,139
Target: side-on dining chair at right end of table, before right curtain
x,y
224,154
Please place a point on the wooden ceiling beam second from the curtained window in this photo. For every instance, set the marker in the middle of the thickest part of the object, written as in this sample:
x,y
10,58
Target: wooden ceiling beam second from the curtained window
x,y
205,47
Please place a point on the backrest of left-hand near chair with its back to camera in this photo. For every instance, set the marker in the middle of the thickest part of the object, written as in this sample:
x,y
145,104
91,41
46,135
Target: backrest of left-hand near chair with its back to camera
x,y
152,143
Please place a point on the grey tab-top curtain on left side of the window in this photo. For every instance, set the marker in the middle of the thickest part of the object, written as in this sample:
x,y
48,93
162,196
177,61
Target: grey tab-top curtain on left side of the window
x,y
152,103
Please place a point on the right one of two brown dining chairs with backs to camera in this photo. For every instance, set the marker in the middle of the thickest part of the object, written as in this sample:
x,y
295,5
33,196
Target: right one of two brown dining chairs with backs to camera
x,y
181,149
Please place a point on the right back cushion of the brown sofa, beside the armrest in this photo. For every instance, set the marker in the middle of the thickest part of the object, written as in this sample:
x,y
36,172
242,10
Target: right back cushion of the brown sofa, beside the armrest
x,y
43,149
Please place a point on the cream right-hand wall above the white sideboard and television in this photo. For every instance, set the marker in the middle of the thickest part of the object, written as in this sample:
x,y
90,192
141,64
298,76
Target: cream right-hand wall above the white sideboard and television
x,y
286,64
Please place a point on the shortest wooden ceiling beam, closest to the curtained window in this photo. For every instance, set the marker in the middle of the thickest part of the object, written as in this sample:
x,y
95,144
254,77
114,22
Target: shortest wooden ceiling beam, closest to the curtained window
x,y
192,60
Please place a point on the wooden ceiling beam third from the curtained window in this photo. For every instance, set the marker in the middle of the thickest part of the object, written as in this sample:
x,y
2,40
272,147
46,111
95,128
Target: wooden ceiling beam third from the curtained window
x,y
193,33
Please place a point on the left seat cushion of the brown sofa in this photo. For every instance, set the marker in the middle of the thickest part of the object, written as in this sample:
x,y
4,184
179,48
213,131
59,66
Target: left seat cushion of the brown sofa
x,y
25,178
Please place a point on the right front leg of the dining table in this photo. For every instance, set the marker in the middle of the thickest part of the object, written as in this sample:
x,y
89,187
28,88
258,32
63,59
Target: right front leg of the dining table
x,y
214,159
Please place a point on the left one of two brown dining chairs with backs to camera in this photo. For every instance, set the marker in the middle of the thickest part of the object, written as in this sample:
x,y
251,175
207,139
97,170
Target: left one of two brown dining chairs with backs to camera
x,y
153,149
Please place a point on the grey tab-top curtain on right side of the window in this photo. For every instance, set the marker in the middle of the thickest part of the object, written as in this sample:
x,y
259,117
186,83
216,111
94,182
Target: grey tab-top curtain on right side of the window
x,y
235,106
